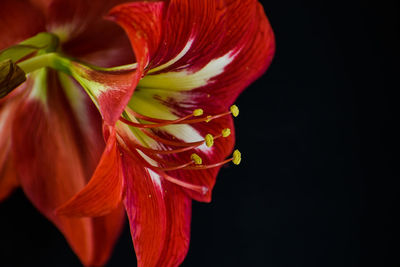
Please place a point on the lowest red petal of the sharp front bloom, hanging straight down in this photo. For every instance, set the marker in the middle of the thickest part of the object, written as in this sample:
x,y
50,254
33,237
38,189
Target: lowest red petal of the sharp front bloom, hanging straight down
x,y
159,216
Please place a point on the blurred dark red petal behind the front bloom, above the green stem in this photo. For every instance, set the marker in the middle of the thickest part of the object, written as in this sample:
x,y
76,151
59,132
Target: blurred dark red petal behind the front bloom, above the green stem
x,y
88,36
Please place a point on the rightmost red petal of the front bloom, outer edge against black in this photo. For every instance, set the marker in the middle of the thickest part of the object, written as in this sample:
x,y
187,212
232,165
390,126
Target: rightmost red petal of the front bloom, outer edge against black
x,y
250,31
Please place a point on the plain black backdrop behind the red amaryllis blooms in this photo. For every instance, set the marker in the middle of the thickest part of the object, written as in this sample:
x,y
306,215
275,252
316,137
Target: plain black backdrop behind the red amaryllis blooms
x,y
318,184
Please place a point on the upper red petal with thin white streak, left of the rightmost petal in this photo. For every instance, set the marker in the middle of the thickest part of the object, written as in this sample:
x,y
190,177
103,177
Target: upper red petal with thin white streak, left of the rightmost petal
x,y
198,22
